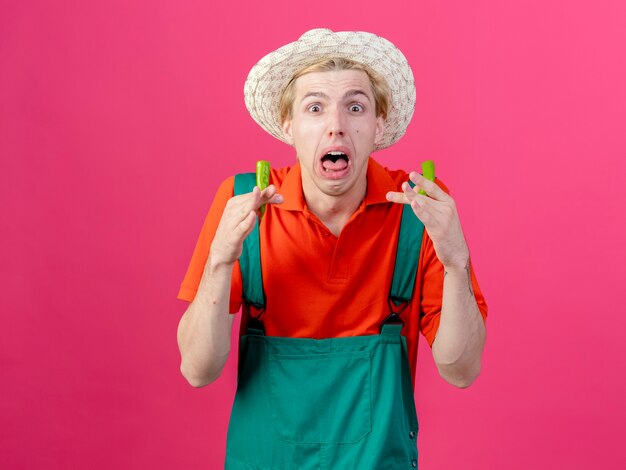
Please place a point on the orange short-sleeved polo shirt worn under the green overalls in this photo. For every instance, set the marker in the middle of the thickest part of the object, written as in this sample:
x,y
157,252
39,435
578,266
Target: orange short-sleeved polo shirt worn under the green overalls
x,y
320,286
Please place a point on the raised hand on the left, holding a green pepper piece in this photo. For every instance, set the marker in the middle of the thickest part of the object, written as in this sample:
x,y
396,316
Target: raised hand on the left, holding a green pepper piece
x,y
237,222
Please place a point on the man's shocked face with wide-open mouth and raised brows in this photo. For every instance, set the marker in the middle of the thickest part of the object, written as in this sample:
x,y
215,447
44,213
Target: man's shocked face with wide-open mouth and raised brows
x,y
334,130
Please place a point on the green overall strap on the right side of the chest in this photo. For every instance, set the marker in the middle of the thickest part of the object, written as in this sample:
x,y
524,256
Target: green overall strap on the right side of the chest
x,y
407,256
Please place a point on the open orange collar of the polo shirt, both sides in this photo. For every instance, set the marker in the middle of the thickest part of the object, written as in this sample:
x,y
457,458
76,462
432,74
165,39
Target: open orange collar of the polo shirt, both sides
x,y
379,183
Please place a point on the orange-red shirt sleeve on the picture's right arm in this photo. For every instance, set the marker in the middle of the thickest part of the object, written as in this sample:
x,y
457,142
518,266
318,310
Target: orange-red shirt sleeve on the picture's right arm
x,y
432,288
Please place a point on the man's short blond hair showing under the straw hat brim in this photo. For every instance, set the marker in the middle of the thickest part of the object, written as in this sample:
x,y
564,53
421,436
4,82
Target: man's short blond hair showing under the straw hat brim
x,y
380,88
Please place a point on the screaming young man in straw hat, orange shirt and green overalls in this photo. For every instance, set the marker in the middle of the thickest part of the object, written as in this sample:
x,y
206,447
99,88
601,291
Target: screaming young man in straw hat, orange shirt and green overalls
x,y
339,278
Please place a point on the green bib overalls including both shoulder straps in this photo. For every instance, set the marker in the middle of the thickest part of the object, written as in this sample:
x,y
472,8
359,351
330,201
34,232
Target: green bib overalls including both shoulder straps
x,y
336,403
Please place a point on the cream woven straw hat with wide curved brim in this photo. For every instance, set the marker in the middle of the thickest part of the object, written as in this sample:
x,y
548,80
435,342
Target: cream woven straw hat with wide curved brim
x,y
269,77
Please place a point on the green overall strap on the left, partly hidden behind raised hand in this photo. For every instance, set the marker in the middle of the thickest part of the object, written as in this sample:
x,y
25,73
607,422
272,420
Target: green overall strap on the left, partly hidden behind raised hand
x,y
250,261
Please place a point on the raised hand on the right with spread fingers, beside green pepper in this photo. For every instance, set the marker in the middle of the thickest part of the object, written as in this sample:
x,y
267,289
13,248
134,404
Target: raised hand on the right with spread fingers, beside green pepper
x,y
437,211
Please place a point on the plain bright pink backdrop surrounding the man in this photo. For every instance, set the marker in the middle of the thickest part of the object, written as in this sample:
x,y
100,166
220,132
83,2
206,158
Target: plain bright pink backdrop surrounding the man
x,y
119,119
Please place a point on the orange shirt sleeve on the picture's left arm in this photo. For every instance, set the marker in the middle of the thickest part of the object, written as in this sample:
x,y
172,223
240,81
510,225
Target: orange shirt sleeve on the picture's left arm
x,y
189,286
